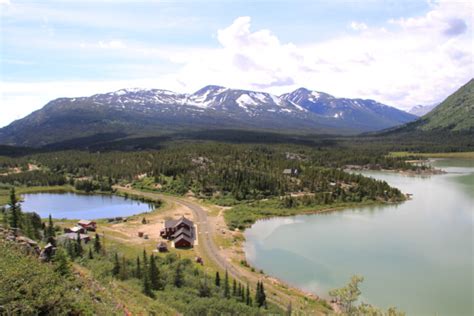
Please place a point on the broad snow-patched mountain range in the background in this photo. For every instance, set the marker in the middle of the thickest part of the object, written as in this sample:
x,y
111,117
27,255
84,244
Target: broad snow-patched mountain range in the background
x,y
139,112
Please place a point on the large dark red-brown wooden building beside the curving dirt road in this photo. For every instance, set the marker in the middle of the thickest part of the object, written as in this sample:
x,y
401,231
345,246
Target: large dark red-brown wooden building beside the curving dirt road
x,y
181,231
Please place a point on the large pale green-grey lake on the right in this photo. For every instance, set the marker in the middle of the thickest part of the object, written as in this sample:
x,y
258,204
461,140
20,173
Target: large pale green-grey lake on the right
x,y
417,255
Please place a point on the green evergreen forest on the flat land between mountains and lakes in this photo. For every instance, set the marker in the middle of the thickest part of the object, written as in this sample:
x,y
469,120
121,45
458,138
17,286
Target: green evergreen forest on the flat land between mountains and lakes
x,y
211,170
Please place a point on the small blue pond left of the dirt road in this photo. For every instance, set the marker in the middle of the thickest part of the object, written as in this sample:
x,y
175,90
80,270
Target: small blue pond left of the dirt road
x,y
81,206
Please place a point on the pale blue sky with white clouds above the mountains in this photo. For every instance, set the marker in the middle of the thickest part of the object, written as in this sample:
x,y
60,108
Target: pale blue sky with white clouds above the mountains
x,y
401,53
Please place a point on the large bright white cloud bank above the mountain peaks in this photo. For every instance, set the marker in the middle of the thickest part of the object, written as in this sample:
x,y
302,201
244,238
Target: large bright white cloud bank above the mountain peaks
x,y
417,60
